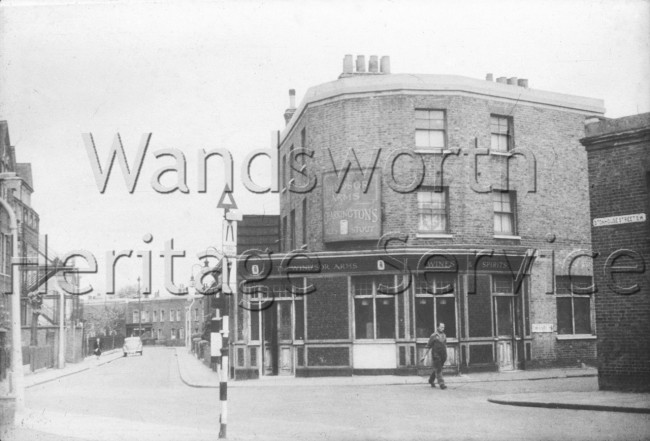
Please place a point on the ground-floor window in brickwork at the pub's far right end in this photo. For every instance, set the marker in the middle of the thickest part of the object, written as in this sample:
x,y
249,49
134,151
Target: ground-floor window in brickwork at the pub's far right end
x,y
573,304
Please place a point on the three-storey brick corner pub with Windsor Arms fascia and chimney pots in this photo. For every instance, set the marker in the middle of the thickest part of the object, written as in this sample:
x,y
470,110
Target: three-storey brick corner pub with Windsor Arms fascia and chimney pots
x,y
464,203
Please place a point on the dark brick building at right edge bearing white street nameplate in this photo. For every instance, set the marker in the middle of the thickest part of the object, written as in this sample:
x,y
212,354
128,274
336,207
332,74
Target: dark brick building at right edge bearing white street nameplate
x,y
619,177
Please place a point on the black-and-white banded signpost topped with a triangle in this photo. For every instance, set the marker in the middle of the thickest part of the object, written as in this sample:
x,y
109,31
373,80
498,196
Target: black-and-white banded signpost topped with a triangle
x,y
228,286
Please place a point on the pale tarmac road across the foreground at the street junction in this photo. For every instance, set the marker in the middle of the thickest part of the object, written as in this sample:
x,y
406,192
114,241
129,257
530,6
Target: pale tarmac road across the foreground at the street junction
x,y
143,398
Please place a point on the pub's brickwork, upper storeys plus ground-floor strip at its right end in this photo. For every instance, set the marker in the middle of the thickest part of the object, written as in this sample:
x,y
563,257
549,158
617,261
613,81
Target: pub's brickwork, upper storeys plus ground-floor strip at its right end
x,y
558,208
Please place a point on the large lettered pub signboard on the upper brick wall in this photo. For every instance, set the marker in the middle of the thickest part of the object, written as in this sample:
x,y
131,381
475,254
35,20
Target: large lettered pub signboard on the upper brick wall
x,y
351,213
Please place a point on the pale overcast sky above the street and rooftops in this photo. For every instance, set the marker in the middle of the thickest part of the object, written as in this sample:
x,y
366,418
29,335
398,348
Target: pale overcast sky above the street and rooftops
x,y
206,75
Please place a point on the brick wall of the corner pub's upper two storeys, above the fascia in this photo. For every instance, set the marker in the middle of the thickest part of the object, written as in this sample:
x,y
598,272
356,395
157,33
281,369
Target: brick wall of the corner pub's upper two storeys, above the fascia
x,y
559,206
